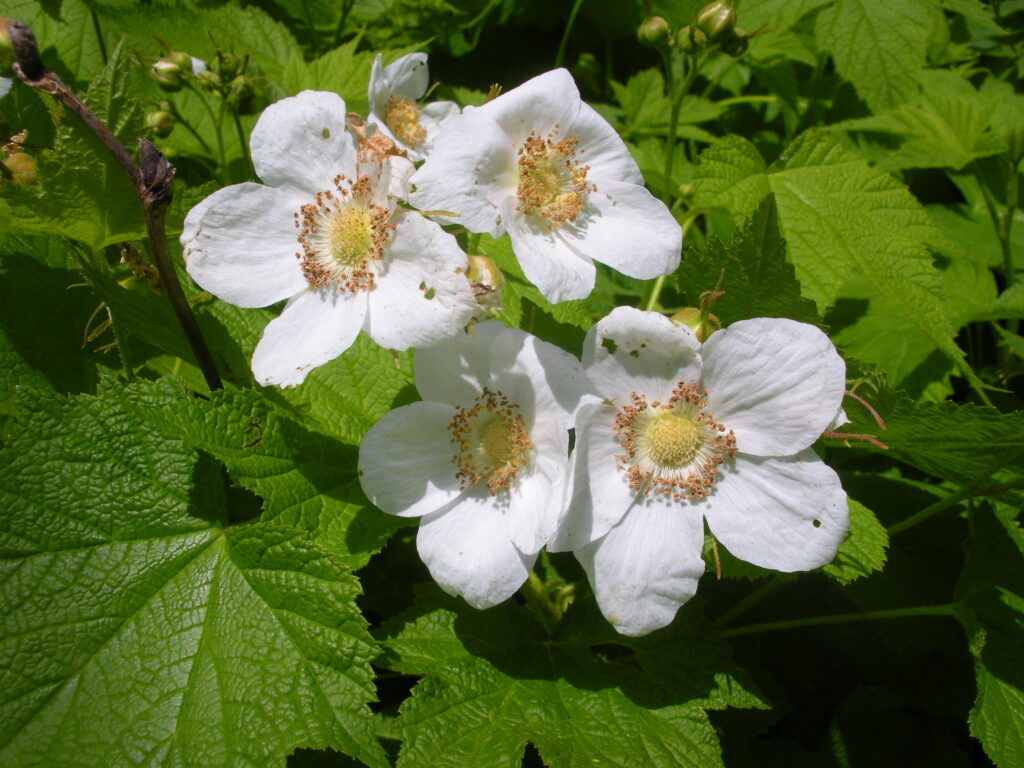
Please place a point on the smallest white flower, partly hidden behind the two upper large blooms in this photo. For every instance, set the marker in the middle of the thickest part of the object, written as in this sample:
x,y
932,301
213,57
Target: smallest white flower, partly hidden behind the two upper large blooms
x,y
395,93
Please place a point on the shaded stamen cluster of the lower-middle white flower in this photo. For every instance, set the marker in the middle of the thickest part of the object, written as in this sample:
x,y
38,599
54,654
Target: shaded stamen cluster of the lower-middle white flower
x,y
492,441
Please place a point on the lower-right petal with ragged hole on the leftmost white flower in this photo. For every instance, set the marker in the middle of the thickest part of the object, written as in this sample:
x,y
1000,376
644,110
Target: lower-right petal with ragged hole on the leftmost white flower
x,y
421,261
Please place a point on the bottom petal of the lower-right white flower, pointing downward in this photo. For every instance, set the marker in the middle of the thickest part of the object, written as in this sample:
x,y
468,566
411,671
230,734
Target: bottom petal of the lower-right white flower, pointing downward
x,y
647,567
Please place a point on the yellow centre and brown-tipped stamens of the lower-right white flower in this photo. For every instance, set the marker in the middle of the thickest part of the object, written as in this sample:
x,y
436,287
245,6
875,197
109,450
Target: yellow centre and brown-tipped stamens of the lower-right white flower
x,y
672,449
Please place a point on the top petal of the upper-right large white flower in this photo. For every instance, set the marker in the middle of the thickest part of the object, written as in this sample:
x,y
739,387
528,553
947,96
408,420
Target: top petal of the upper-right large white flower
x,y
537,106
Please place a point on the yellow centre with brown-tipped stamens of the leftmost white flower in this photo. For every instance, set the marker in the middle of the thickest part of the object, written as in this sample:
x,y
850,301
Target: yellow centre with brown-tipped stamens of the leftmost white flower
x,y
343,234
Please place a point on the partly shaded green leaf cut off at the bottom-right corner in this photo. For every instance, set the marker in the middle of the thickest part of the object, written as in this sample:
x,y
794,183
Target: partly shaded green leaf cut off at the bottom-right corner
x,y
992,603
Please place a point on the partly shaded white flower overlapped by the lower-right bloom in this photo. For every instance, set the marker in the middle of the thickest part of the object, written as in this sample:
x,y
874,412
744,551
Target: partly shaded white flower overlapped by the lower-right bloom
x,y
484,459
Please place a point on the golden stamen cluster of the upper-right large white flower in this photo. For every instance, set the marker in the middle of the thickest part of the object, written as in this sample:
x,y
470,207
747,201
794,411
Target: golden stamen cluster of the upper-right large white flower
x,y
552,184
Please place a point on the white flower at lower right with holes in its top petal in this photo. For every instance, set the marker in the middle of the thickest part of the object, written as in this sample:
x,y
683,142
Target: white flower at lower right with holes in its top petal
x,y
690,433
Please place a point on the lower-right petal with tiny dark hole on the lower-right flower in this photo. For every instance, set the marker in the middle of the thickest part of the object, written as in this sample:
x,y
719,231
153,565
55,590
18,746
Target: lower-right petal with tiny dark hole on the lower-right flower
x,y
782,514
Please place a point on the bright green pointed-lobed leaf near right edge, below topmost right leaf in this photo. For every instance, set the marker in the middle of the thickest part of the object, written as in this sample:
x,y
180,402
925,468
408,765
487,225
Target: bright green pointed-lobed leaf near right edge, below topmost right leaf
x,y
947,125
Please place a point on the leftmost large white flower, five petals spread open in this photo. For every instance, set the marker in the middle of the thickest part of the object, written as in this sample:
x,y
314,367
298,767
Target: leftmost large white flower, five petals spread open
x,y
326,234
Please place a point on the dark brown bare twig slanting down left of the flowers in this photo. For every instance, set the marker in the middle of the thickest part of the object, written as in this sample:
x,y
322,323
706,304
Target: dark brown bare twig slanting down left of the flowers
x,y
153,179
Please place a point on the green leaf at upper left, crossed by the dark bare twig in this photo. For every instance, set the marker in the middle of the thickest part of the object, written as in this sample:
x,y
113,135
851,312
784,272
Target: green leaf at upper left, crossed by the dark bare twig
x,y
82,193
